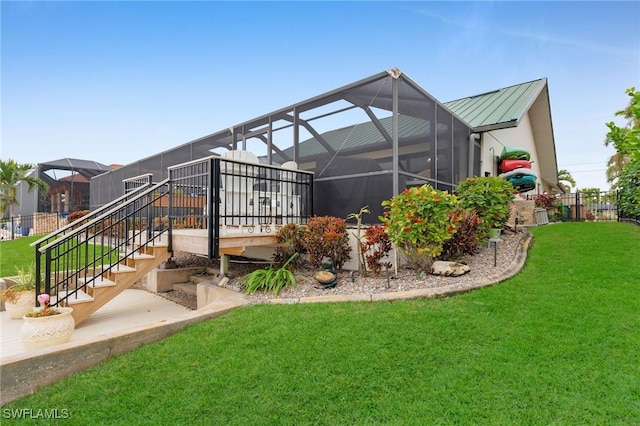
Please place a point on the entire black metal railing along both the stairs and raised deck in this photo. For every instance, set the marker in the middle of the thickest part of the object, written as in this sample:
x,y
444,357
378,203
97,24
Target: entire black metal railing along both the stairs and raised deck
x,y
213,194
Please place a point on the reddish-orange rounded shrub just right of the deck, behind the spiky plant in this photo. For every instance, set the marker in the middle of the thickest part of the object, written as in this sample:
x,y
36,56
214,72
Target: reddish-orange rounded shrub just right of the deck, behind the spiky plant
x,y
326,236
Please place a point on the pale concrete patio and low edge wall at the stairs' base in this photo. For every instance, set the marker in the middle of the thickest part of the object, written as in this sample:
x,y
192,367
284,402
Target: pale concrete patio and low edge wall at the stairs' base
x,y
133,318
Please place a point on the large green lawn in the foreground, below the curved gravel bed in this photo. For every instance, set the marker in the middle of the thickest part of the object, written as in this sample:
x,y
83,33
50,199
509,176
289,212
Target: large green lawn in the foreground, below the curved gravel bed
x,y
557,344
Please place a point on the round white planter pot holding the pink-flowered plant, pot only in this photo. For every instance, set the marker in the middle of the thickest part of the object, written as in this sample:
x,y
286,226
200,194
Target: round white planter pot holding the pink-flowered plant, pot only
x,y
47,331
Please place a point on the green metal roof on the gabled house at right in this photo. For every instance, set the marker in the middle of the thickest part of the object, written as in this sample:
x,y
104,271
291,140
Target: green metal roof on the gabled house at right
x,y
500,108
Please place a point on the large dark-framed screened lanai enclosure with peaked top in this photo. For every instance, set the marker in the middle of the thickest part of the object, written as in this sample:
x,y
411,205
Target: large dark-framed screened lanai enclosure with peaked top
x,y
363,143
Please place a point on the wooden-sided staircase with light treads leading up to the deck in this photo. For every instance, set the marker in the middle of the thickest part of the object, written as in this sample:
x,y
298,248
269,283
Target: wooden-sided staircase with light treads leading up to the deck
x,y
104,286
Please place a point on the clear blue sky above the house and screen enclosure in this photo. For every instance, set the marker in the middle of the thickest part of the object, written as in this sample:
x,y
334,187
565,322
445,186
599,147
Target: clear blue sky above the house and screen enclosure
x,y
115,82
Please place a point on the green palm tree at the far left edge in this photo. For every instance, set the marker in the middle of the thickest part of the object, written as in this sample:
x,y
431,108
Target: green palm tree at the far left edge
x,y
11,174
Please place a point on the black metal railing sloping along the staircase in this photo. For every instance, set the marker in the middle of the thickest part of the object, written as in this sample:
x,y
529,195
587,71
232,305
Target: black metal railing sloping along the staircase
x,y
71,259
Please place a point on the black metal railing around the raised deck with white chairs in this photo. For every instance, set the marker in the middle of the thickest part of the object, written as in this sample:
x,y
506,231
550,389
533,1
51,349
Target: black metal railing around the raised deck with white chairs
x,y
221,195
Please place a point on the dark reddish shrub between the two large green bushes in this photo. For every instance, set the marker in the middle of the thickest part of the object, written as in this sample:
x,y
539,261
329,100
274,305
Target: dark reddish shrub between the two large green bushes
x,y
466,240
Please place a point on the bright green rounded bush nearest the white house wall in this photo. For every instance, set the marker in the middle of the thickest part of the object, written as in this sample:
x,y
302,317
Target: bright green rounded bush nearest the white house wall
x,y
489,197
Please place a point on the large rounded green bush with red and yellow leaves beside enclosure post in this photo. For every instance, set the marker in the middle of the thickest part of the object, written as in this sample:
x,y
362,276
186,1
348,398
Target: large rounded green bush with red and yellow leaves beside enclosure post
x,y
418,222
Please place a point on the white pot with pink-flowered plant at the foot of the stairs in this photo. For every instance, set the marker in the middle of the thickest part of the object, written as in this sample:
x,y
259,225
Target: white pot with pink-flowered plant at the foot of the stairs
x,y
46,326
